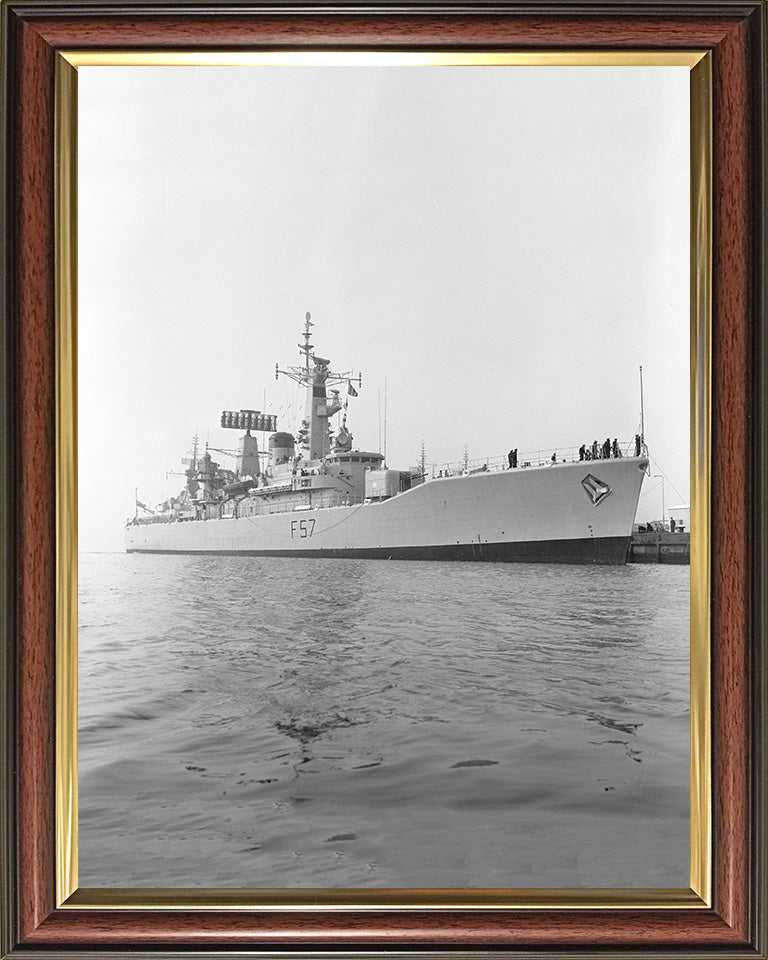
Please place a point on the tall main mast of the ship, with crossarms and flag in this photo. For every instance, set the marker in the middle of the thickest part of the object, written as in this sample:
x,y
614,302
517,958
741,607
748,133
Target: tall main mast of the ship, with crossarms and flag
x,y
316,376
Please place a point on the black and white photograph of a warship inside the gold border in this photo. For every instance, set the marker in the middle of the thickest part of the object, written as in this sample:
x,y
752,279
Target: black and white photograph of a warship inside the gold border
x,y
384,431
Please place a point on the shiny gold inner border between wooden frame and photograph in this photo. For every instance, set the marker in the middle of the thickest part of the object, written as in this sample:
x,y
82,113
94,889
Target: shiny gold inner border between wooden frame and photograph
x,y
68,895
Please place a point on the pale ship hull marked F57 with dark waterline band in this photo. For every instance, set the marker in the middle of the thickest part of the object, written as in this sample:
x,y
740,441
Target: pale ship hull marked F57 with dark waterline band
x,y
580,512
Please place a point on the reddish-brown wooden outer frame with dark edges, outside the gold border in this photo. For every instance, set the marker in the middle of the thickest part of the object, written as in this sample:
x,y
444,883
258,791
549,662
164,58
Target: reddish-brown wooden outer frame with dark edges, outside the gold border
x,y
735,31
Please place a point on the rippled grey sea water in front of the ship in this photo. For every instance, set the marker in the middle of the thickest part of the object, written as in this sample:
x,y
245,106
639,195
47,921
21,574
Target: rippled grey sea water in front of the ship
x,y
343,723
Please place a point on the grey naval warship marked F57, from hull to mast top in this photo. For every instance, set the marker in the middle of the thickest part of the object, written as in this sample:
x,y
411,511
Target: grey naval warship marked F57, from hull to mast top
x,y
316,494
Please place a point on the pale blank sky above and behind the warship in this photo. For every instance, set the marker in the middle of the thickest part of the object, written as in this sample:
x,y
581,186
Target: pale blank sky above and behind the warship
x,y
504,245
